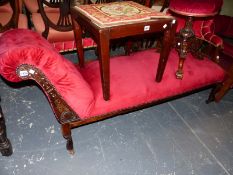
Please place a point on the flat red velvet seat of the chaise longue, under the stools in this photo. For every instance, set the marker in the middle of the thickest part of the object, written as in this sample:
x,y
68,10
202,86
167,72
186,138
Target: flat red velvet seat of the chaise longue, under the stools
x,y
133,80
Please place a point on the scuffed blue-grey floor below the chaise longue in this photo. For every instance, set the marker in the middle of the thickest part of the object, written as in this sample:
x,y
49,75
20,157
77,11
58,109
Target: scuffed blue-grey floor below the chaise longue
x,y
181,137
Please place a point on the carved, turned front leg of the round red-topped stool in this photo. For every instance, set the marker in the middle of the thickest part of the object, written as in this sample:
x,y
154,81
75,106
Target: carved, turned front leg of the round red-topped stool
x,y
185,33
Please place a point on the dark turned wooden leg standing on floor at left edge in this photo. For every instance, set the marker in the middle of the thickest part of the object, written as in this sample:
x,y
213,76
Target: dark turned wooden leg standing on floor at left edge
x,y
5,145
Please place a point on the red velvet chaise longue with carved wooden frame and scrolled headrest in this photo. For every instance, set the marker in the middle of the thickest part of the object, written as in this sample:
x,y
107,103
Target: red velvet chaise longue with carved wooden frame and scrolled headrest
x,y
75,93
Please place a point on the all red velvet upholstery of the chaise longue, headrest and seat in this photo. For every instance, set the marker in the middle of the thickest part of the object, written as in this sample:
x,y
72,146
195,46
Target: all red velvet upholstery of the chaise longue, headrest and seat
x,y
132,77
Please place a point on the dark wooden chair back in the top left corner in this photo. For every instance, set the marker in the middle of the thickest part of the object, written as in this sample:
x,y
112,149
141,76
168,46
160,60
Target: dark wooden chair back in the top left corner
x,y
13,22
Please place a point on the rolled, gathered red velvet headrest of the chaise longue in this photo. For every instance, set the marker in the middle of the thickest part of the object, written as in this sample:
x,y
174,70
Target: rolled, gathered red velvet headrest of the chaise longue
x,y
21,46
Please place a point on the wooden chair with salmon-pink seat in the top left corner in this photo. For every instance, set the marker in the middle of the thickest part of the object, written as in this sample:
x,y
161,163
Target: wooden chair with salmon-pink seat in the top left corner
x,y
11,16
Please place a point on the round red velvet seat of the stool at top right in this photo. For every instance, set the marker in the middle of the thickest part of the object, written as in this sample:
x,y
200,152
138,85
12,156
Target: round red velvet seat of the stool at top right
x,y
196,8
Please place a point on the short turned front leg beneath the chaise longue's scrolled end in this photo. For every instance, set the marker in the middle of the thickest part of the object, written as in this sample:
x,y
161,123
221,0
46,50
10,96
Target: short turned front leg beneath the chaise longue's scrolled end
x,y
66,132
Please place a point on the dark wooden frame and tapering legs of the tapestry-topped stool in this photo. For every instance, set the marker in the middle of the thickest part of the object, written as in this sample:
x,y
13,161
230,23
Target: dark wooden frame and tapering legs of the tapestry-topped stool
x,y
103,35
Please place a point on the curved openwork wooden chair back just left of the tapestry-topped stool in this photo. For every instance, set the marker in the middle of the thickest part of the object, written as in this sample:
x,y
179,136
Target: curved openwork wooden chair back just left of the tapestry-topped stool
x,y
64,23
